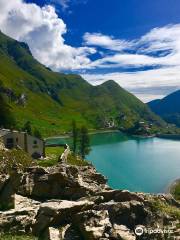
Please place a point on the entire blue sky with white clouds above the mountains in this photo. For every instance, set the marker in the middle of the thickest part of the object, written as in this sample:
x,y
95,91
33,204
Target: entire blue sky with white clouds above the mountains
x,y
134,42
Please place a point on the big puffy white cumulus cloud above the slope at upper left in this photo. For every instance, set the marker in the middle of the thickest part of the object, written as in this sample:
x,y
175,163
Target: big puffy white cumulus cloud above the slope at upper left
x,y
44,32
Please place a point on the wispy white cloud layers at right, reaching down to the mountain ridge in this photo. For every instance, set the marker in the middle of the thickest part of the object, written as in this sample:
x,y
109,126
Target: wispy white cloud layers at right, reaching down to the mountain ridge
x,y
159,49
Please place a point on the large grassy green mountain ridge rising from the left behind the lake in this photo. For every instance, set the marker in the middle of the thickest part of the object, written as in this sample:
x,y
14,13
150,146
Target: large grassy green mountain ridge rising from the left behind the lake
x,y
50,100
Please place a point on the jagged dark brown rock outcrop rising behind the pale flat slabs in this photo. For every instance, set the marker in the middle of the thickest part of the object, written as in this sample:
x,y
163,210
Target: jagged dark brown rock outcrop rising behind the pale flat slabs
x,y
61,182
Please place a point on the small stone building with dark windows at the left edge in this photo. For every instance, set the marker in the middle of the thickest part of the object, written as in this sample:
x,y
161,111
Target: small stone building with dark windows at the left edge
x,y
34,146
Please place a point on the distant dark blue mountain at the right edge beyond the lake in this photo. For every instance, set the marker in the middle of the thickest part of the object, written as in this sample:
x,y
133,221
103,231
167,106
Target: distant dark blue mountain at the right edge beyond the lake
x,y
168,108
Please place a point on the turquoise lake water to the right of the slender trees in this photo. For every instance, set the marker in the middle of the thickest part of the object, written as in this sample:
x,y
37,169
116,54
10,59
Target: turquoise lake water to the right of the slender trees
x,y
136,164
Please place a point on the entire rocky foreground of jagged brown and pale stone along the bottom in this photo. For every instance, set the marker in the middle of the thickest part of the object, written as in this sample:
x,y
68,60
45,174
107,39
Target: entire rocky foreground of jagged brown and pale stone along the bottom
x,y
68,202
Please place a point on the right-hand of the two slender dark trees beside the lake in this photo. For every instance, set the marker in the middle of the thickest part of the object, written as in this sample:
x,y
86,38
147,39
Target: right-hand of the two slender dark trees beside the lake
x,y
84,142
